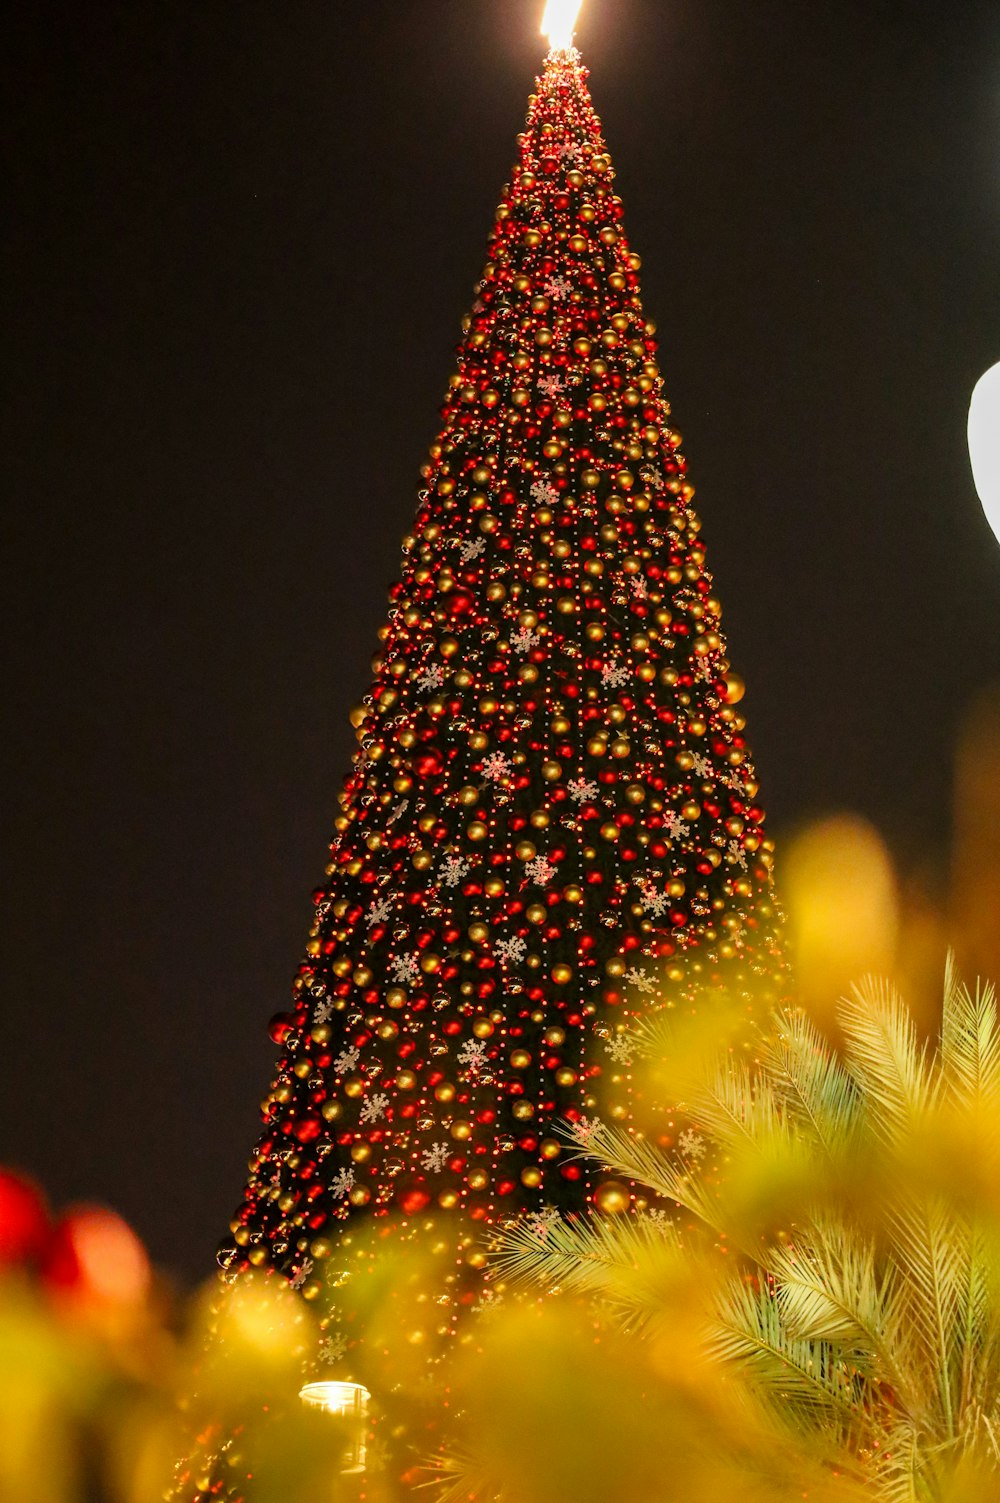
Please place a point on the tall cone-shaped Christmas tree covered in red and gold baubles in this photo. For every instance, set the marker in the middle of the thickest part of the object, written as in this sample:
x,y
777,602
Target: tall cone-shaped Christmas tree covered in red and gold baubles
x,y
553,811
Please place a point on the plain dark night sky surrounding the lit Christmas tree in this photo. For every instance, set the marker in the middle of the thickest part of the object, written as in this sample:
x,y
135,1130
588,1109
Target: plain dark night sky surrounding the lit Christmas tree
x,y
240,243
